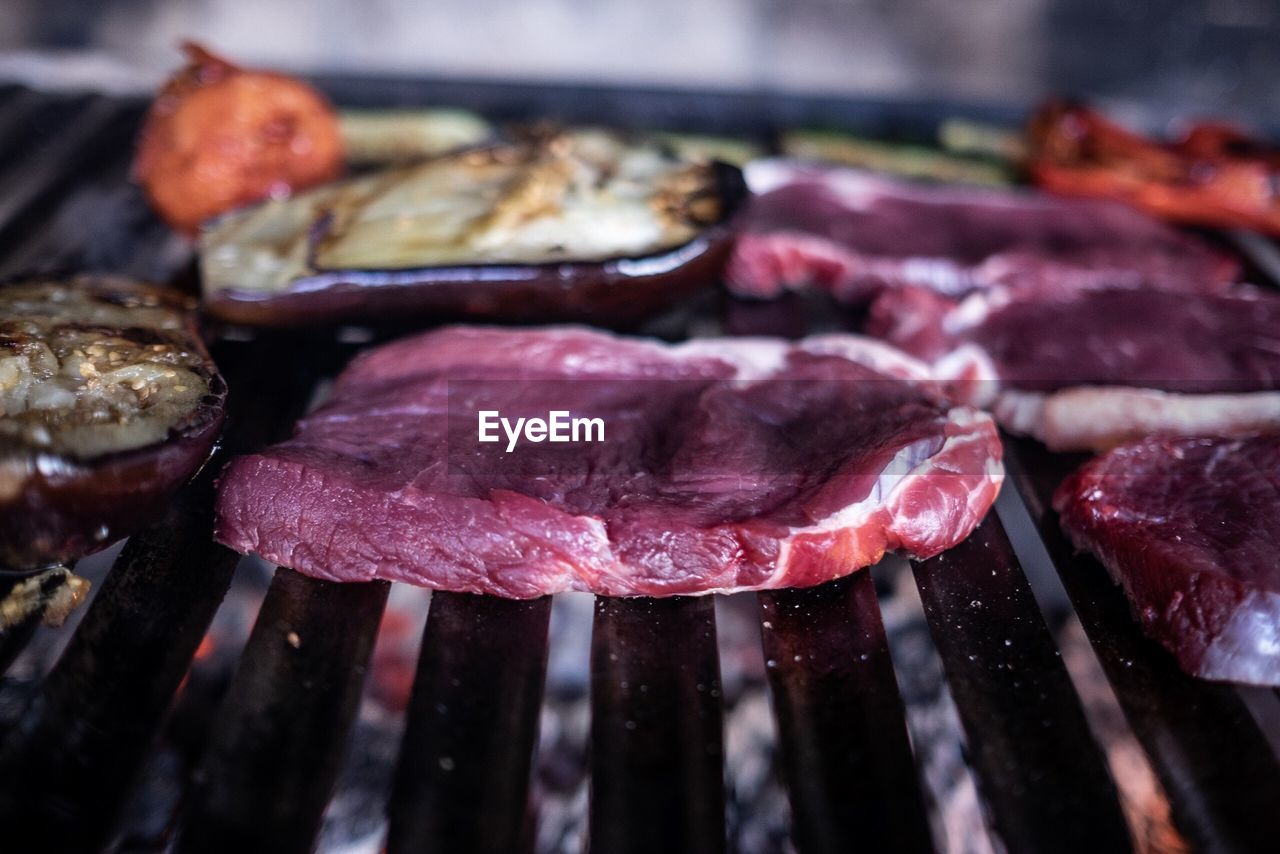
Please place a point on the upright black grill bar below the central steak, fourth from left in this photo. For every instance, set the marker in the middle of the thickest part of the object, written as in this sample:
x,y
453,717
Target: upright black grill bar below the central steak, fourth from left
x,y
657,719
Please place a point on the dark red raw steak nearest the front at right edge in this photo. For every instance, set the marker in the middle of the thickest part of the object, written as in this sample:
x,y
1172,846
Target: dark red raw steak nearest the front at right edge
x,y
1190,528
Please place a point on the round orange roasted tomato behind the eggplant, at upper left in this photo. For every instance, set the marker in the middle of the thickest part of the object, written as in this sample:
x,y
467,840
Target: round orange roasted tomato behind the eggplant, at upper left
x,y
220,138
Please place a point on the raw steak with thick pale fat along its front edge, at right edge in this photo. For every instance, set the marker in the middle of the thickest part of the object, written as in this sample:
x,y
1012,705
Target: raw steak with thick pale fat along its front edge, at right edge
x,y
1091,369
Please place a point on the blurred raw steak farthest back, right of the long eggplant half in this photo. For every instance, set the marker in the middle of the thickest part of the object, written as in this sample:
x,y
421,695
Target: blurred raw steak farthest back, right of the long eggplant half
x,y
854,235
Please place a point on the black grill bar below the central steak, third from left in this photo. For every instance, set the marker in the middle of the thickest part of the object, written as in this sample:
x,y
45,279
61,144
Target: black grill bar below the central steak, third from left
x,y
463,784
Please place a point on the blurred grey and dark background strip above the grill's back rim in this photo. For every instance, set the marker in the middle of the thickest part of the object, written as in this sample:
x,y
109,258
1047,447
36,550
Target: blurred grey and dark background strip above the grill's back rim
x,y
1151,61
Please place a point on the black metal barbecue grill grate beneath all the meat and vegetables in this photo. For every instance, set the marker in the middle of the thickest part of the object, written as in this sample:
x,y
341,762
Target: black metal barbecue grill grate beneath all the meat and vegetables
x,y
271,762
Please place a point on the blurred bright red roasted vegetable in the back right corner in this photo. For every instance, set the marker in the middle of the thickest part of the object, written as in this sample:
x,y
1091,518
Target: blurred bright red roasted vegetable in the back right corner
x,y
1215,176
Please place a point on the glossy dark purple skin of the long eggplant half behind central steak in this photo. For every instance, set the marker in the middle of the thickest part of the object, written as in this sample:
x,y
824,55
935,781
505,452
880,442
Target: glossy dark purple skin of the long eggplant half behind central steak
x,y
615,293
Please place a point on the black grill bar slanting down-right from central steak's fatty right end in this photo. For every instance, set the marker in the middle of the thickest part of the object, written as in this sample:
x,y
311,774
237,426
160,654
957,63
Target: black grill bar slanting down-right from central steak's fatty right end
x,y
1040,771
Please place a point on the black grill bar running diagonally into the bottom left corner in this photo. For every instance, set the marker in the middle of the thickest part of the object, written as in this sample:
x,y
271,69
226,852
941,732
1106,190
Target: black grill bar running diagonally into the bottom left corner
x,y
70,764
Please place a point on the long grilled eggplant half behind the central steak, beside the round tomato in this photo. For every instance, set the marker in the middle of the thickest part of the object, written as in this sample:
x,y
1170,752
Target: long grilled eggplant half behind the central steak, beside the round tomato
x,y
583,225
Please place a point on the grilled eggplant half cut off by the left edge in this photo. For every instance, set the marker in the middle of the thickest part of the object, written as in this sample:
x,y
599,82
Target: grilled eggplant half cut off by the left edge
x,y
108,404
